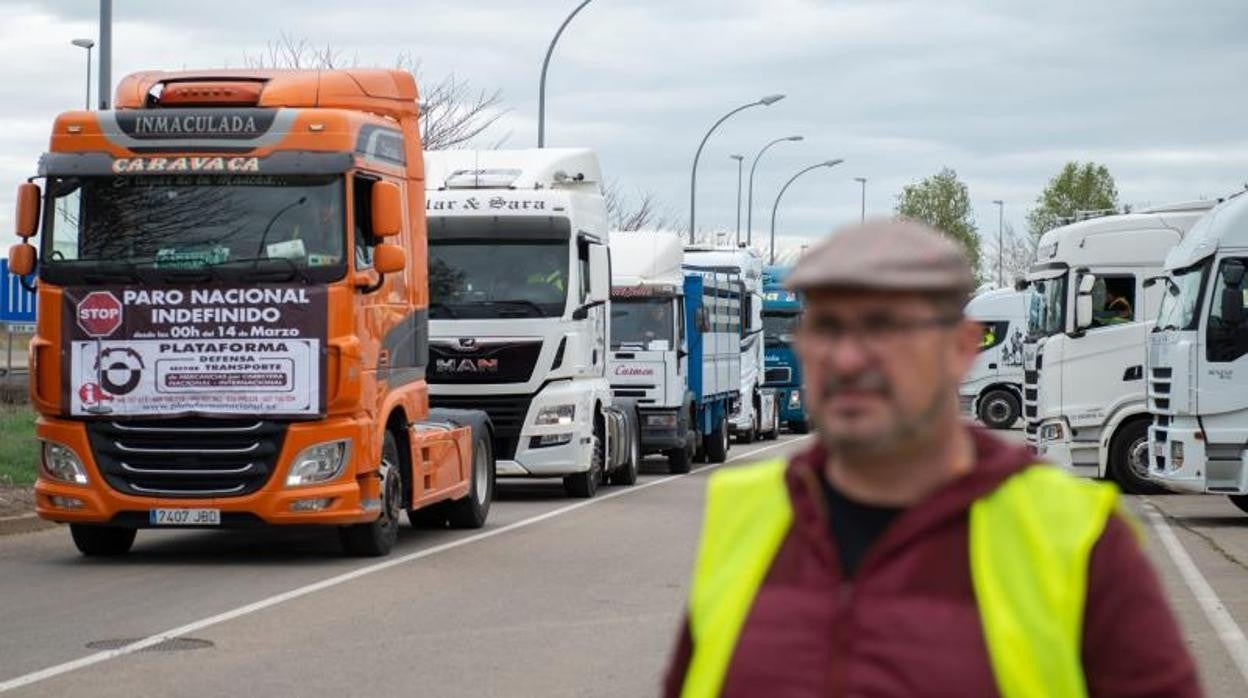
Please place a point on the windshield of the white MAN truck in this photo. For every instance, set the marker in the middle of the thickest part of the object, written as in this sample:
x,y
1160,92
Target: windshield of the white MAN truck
x,y
487,268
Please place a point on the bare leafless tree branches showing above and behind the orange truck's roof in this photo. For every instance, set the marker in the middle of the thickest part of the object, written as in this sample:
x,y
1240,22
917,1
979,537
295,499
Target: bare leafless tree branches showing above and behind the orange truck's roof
x,y
452,112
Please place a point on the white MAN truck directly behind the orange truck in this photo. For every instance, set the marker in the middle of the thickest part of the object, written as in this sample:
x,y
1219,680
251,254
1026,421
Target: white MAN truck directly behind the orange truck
x,y
520,300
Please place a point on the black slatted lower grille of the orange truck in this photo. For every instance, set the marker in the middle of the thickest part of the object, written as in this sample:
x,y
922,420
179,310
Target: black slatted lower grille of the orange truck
x,y
188,458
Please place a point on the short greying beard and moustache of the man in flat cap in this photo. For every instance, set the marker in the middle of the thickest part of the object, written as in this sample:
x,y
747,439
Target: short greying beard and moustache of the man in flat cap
x,y
898,430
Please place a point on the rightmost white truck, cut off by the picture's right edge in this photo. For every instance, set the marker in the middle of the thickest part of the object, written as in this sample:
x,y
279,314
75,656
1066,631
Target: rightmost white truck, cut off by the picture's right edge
x,y
1199,361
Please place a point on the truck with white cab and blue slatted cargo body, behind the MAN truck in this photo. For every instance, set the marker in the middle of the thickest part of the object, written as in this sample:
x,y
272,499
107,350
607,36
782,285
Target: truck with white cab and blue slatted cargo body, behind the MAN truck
x,y
676,348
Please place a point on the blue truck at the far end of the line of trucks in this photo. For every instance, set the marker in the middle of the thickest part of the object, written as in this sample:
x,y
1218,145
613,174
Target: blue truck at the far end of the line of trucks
x,y
781,313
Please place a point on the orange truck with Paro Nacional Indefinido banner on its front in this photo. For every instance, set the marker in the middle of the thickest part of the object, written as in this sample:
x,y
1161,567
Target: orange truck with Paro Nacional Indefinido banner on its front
x,y
233,323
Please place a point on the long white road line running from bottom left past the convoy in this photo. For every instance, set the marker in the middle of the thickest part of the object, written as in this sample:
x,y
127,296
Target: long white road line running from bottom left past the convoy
x,y
64,669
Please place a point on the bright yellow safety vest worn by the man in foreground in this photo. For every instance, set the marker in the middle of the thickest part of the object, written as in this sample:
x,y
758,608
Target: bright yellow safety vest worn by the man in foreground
x,y
1030,544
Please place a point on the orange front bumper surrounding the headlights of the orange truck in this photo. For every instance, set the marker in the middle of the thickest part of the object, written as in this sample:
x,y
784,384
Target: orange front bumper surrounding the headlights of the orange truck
x,y
349,499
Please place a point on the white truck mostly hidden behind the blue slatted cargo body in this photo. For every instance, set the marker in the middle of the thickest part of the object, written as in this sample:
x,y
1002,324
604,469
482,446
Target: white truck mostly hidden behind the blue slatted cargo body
x,y
756,411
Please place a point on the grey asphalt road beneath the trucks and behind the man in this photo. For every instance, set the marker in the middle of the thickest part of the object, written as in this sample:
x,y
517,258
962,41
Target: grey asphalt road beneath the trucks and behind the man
x,y
555,597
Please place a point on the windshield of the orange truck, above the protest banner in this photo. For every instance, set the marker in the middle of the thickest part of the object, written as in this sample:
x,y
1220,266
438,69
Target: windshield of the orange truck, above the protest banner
x,y
243,225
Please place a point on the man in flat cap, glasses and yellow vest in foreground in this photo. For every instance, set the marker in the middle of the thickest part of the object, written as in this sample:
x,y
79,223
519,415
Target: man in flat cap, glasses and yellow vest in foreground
x,y
908,554
